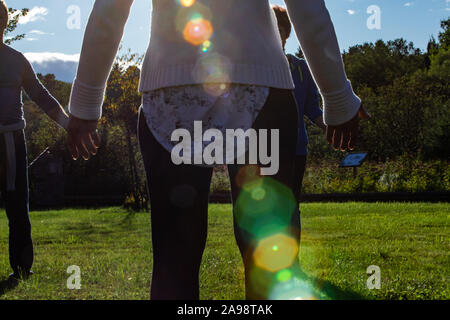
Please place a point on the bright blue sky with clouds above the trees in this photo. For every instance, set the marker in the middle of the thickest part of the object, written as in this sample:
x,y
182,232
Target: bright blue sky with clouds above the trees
x,y
52,47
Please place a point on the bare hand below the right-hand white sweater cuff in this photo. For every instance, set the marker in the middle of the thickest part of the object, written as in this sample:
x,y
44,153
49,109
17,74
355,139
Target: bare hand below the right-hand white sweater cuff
x,y
343,137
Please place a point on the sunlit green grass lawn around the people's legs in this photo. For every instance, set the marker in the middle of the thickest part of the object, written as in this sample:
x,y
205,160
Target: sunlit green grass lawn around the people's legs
x,y
112,247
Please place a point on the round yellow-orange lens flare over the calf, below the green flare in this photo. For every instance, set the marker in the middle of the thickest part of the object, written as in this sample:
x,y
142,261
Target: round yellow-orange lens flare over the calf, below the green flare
x,y
275,253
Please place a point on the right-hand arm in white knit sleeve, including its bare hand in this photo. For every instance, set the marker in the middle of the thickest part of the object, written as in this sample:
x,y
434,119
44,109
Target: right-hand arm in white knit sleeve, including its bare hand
x,y
342,108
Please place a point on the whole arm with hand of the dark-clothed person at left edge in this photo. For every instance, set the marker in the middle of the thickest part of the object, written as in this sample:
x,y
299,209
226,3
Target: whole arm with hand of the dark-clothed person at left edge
x,y
39,94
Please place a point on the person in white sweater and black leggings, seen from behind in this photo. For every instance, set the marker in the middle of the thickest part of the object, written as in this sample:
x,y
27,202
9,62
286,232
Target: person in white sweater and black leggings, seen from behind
x,y
220,62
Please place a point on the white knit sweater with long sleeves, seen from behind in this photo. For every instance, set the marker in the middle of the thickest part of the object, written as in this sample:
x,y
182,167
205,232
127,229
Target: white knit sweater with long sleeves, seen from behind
x,y
245,48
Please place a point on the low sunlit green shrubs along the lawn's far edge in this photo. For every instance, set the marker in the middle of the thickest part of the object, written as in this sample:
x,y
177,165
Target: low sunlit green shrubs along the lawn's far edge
x,y
402,175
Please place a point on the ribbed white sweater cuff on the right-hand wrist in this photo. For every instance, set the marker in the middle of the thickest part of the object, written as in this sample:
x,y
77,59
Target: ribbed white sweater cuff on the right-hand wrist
x,y
340,106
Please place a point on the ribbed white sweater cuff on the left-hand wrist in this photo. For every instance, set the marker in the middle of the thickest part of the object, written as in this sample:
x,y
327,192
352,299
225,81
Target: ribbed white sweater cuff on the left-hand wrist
x,y
86,101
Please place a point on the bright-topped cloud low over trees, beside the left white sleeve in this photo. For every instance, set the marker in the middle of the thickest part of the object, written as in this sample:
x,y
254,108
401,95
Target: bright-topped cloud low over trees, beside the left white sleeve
x,y
63,66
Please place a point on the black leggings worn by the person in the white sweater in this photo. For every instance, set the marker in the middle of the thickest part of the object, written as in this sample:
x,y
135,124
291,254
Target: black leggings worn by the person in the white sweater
x,y
179,208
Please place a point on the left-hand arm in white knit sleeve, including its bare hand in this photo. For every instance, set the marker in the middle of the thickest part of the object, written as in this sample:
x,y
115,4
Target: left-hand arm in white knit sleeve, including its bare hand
x,y
101,42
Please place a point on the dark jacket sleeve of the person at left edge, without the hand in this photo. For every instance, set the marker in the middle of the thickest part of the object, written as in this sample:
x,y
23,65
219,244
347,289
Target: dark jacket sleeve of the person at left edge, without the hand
x,y
35,90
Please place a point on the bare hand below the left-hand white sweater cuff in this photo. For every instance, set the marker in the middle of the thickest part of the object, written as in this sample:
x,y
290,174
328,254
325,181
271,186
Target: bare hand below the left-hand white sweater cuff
x,y
82,137
